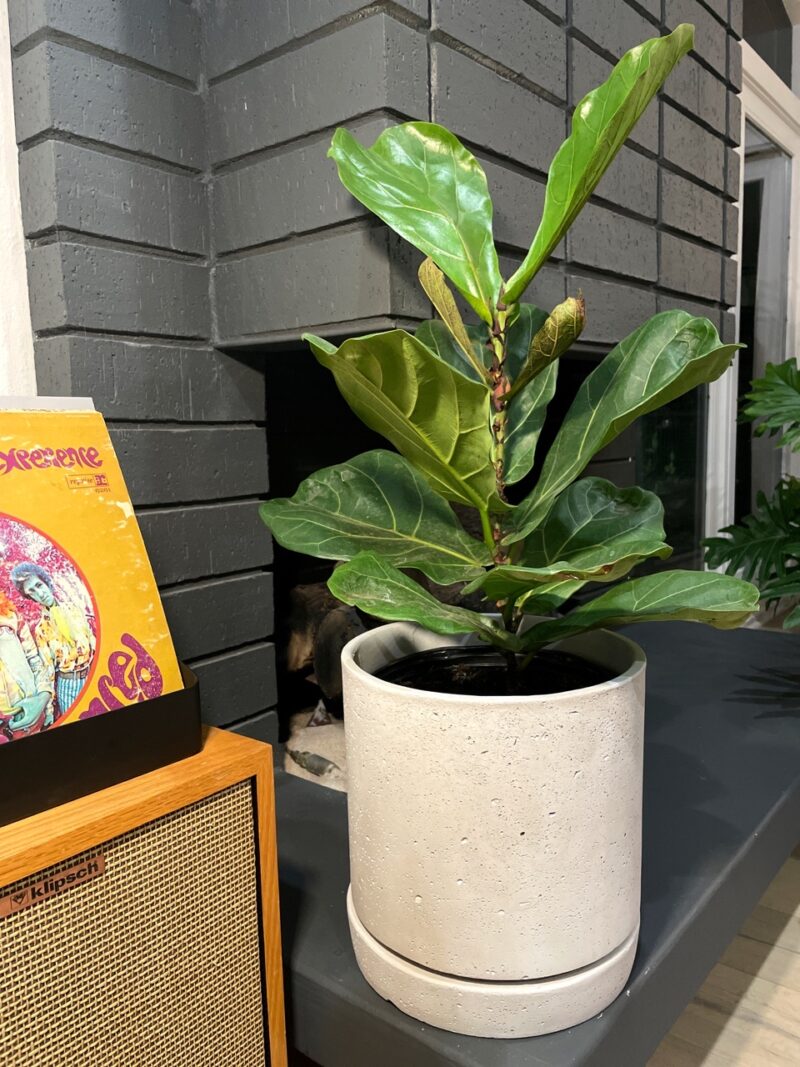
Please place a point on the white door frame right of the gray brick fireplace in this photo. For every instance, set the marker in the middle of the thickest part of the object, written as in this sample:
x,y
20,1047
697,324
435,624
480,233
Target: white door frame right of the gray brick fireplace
x,y
772,106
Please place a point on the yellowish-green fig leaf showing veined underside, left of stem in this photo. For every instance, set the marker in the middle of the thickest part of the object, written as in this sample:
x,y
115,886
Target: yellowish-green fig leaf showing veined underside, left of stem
x,y
437,418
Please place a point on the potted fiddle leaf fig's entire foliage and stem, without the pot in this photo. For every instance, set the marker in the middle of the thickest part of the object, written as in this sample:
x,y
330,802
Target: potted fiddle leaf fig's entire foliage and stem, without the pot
x,y
463,406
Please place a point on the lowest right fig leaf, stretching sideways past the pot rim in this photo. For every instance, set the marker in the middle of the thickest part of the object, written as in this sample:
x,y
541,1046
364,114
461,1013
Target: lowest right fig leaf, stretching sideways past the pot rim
x,y
718,600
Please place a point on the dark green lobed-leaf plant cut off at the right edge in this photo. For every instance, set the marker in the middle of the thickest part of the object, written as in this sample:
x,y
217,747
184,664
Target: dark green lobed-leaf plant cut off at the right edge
x,y
765,547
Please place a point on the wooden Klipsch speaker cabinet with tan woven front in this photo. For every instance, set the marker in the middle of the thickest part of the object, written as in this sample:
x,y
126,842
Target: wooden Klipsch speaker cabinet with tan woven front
x,y
139,926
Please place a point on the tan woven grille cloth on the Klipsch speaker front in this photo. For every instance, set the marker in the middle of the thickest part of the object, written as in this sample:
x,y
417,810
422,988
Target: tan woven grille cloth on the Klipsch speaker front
x,y
155,964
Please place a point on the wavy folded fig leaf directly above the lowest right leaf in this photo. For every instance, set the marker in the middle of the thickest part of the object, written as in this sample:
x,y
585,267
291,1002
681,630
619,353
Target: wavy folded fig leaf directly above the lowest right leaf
x,y
595,532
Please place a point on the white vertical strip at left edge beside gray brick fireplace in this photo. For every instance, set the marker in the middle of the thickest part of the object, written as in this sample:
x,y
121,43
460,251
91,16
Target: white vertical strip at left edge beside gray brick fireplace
x,y
18,374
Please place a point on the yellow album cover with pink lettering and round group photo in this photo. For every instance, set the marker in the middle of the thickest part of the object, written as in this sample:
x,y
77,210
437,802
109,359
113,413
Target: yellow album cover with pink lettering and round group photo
x,y
83,631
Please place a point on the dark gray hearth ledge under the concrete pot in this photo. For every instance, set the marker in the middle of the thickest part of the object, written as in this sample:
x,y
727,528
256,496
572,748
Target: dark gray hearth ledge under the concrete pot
x,y
722,814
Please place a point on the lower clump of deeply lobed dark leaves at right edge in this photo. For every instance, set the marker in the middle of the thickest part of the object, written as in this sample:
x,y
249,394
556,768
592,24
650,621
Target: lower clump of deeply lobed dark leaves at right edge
x,y
765,546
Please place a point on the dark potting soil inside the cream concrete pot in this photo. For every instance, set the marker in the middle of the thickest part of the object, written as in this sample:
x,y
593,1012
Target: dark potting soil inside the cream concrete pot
x,y
476,672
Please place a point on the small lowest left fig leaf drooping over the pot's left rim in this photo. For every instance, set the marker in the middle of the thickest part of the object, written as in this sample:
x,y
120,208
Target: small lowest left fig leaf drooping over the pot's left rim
x,y
375,586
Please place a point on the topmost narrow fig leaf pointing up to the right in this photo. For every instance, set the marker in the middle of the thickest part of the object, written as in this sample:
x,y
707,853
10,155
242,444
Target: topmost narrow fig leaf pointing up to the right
x,y
600,126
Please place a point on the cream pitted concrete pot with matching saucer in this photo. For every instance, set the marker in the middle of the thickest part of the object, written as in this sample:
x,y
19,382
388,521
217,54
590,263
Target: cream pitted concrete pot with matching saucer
x,y
495,843
